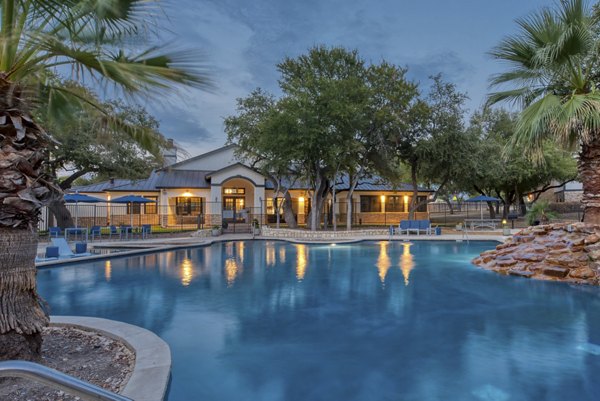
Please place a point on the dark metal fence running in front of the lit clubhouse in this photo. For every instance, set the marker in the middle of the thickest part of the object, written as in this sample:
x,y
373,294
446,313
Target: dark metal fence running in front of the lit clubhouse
x,y
173,218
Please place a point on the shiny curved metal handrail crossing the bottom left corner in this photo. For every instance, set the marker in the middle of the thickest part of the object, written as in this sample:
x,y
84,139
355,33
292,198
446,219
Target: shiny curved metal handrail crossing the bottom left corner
x,y
57,380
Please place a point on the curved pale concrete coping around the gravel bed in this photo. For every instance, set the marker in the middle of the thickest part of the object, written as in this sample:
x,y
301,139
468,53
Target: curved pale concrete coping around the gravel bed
x,y
150,377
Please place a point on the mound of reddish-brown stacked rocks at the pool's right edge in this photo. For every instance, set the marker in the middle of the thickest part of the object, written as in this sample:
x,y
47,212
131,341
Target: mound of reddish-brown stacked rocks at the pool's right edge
x,y
562,252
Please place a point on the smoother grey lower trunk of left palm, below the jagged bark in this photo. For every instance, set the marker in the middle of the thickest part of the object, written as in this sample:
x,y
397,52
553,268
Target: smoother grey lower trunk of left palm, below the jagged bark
x,y
21,317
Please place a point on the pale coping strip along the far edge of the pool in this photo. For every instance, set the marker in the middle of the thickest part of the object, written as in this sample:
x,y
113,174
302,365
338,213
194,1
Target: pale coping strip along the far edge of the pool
x,y
192,242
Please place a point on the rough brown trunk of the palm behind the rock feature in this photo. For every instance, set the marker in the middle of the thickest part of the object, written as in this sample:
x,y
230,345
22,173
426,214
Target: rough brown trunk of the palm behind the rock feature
x,y
589,171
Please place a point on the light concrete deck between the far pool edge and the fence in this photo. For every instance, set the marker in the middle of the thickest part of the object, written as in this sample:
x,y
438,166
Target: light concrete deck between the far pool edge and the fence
x,y
151,245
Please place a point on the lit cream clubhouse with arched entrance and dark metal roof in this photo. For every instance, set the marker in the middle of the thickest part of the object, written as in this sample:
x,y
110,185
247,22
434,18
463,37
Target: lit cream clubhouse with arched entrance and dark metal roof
x,y
217,187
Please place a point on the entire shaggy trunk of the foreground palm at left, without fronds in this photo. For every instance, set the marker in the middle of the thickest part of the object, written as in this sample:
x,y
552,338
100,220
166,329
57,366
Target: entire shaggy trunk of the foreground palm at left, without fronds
x,y
24,189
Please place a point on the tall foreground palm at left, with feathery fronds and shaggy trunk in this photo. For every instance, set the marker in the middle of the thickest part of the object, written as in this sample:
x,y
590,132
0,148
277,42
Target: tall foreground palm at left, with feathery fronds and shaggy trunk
x,y
94,39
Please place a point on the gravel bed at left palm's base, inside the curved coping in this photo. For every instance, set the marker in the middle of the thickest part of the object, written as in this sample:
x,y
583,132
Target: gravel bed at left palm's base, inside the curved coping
x,y
84,354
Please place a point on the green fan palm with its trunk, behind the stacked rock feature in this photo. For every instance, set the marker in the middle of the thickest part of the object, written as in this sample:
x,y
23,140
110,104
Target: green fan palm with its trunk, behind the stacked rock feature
x,y
554,76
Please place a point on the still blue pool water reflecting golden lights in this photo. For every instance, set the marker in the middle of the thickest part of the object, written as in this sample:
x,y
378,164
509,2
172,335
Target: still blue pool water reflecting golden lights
x,y
370,321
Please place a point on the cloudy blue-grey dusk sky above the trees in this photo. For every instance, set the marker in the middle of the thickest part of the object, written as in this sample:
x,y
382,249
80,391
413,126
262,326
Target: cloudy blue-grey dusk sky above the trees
x,y
244,40
